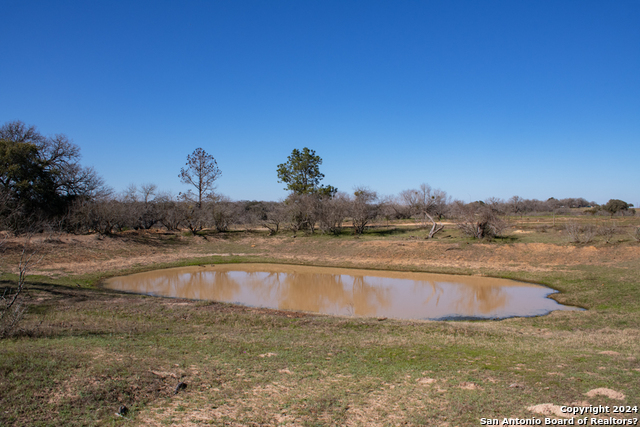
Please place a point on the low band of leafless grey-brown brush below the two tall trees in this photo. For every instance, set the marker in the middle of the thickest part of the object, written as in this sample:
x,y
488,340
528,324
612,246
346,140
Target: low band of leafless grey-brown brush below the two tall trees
x,y
310,213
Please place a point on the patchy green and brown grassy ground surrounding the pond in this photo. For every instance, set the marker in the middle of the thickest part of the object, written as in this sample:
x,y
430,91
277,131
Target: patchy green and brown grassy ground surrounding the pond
x,y
83,351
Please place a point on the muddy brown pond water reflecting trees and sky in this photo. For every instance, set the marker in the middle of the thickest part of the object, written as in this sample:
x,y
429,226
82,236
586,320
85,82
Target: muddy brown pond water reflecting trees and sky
x,y
349,292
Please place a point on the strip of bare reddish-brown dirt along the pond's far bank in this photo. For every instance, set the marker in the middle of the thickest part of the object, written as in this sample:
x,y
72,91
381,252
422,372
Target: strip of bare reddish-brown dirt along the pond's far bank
x,y
84,254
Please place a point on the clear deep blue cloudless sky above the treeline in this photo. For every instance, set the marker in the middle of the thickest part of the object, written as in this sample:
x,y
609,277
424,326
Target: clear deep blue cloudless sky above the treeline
x,y
491,98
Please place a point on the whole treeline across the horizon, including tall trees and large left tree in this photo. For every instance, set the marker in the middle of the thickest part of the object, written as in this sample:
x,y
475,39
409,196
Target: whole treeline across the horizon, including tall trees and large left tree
x,y
43,186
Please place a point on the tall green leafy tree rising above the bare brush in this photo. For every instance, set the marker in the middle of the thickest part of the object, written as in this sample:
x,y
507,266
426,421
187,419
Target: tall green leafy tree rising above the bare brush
x,y
302,173
